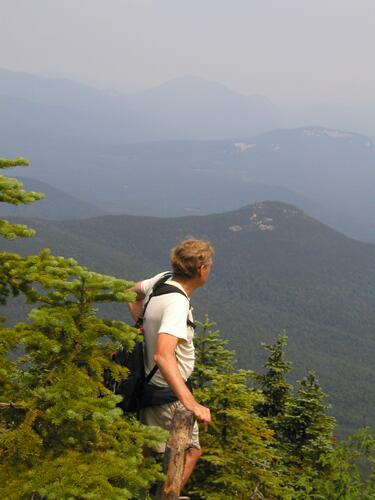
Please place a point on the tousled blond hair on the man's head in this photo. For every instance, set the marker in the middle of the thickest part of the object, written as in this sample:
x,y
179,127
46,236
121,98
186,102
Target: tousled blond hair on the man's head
x,y
189,256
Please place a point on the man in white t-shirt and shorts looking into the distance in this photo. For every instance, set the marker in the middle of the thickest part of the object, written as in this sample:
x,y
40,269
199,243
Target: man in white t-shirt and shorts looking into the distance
x,y
169,339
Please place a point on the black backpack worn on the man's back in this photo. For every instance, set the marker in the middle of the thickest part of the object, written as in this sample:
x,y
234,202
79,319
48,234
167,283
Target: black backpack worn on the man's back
x,y
136,390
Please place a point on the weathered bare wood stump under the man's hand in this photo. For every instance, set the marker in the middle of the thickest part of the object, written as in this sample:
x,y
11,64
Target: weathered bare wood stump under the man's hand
x,y
174,457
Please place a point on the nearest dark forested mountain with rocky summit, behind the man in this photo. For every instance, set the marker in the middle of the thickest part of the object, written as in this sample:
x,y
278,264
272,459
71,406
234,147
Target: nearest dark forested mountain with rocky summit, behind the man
x,y
275,268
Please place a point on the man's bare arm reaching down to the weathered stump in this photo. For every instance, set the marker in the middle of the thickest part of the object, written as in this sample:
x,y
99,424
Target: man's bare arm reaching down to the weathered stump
x,y
165,358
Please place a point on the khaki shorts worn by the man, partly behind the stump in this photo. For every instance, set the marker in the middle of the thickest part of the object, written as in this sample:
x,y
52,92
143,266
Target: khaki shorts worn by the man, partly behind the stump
x,y
161,416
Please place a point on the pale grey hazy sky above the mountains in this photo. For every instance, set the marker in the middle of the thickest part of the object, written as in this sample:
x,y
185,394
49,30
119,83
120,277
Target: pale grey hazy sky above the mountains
x,y
286,49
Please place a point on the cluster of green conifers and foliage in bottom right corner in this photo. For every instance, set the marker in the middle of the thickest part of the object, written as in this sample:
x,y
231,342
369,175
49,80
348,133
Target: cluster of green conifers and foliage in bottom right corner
x,y
316,466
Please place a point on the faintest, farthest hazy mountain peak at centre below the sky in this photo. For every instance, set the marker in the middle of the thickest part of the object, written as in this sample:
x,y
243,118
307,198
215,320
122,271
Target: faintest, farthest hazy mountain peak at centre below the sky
x,y
193,108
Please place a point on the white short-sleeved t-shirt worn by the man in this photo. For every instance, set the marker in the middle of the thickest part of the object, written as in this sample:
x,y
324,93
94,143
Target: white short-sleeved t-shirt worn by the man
x,y
168,314
